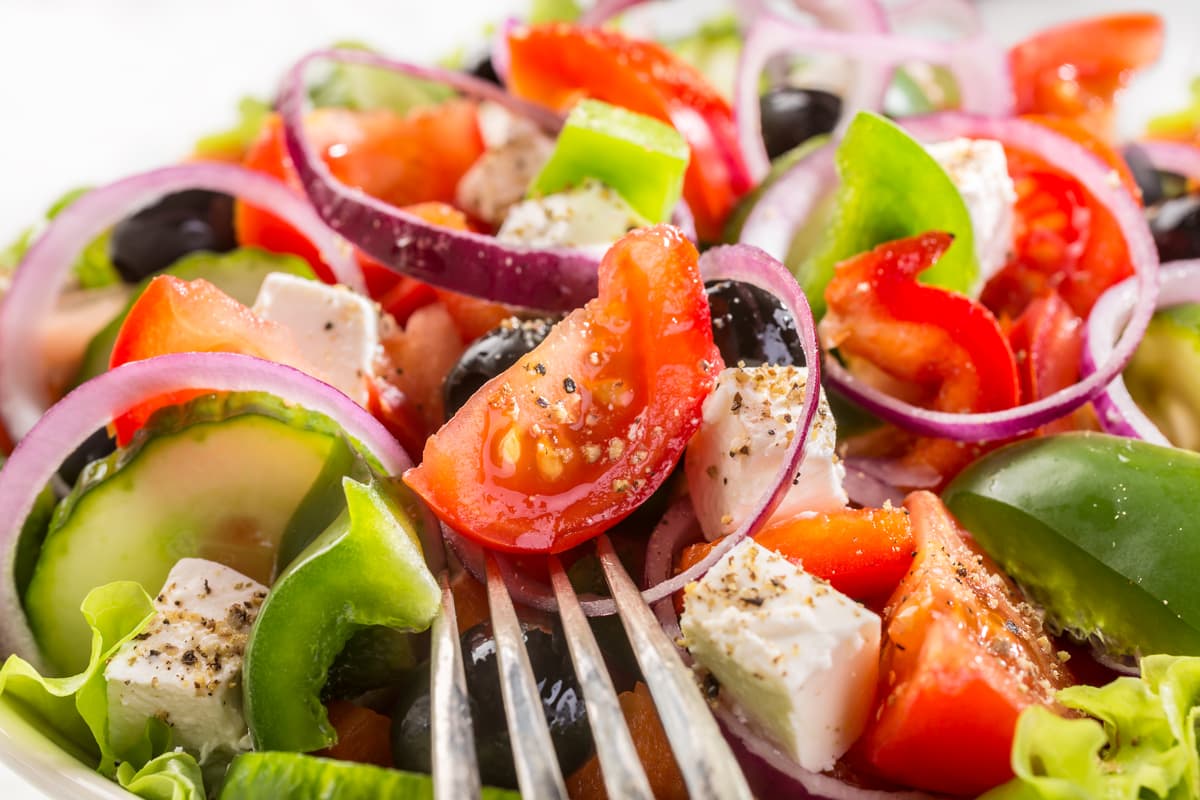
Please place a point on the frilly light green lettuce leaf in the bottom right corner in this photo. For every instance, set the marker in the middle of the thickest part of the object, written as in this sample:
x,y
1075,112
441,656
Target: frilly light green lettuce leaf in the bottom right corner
x,y
1138,741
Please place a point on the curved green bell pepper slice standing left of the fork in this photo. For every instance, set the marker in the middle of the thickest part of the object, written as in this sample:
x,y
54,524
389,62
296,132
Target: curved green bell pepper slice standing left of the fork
x,y
365,570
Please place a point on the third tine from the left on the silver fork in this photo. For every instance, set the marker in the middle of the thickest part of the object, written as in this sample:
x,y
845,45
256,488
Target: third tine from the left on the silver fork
x,y
620,765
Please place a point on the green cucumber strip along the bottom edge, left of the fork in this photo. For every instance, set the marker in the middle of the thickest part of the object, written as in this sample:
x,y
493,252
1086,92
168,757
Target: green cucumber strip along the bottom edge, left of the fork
x,y
293,775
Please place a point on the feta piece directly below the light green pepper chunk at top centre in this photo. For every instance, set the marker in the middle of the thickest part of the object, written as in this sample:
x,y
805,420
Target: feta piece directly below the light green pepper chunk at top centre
x,y
592,214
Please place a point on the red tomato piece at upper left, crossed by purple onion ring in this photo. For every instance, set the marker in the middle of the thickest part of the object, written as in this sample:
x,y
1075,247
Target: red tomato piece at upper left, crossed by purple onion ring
x,y
407,160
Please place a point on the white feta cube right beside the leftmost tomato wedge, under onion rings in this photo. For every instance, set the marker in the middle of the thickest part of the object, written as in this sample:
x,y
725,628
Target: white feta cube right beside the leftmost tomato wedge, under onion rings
x,y
338,330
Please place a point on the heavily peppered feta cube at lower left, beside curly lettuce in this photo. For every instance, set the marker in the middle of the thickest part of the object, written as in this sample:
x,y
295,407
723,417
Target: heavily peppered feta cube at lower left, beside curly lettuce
x,y
185,667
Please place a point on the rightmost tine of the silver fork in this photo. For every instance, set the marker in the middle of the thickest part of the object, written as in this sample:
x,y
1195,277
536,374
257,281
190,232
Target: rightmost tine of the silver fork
x,y
704,756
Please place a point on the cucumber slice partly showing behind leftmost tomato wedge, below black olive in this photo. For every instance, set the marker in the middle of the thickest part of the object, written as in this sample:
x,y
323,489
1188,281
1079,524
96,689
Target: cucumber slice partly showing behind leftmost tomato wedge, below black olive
x,y
239,274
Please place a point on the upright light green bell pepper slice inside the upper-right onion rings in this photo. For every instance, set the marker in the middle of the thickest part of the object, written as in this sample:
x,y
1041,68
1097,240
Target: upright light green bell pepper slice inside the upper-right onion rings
x,y
891,189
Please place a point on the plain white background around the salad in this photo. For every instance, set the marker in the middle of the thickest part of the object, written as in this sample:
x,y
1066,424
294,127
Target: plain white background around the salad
x,y
92,91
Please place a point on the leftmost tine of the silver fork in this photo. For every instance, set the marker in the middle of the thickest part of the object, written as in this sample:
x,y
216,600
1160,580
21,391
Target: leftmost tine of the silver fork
x,y
455,768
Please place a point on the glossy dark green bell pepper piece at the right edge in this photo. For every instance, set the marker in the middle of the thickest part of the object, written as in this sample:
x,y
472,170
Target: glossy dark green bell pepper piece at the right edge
x,y
1103,532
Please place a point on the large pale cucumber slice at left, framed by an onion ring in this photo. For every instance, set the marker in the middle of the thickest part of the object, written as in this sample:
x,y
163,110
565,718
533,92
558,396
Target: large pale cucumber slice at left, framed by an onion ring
x,y
221,478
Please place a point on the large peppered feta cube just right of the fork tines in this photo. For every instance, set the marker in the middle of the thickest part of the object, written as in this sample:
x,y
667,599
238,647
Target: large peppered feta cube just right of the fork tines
x,y
799,659
